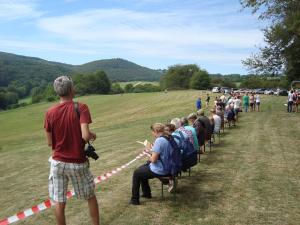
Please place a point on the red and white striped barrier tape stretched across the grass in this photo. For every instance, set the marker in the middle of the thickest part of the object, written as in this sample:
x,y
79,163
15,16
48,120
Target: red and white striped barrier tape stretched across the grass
x,y
49,203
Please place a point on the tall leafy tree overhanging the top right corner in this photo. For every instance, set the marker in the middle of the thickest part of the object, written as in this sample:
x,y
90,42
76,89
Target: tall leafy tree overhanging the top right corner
x,y
282,51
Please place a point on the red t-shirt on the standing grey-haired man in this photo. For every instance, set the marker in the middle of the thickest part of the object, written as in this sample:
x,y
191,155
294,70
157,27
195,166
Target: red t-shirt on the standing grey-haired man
x,y
63,123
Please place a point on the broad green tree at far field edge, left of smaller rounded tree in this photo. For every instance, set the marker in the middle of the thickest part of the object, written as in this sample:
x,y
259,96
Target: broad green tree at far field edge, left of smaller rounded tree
x,y
178,76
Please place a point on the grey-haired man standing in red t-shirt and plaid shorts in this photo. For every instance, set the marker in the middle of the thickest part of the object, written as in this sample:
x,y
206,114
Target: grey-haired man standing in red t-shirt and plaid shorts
x,y
67,131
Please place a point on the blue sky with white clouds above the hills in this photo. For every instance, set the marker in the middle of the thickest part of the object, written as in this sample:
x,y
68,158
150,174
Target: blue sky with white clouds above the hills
x,y
214,34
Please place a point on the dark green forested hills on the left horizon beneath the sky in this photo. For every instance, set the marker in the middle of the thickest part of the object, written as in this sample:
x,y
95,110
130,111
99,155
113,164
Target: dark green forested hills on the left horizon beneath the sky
x,y
20,69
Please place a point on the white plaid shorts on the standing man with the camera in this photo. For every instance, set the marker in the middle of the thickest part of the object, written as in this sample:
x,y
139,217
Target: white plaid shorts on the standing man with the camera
x,y
80,176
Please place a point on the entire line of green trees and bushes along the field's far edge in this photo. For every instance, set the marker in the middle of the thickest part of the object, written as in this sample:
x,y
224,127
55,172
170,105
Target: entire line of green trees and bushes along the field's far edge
x,y
177,77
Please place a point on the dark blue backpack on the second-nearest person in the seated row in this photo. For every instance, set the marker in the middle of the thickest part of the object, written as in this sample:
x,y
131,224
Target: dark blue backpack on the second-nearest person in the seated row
x,y
189,153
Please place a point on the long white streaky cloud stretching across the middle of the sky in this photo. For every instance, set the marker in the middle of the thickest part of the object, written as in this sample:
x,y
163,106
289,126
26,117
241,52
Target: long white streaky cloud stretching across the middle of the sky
x,y
118,25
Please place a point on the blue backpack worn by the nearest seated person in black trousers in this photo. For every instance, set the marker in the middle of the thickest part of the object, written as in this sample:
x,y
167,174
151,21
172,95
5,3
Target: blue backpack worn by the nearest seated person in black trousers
x,y
172,160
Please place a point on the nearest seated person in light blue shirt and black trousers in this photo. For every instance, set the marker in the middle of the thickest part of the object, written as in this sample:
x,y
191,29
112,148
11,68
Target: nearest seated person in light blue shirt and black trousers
x,y
154,167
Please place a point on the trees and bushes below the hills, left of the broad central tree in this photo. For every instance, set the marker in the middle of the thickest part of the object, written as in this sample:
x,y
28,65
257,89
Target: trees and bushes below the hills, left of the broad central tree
x,y
84,84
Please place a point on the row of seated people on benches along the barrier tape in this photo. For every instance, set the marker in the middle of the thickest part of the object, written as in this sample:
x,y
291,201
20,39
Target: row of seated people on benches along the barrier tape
x,y
197,129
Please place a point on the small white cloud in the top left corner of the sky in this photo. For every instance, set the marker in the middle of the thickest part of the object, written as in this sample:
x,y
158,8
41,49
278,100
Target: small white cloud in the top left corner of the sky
x,y
17,9
